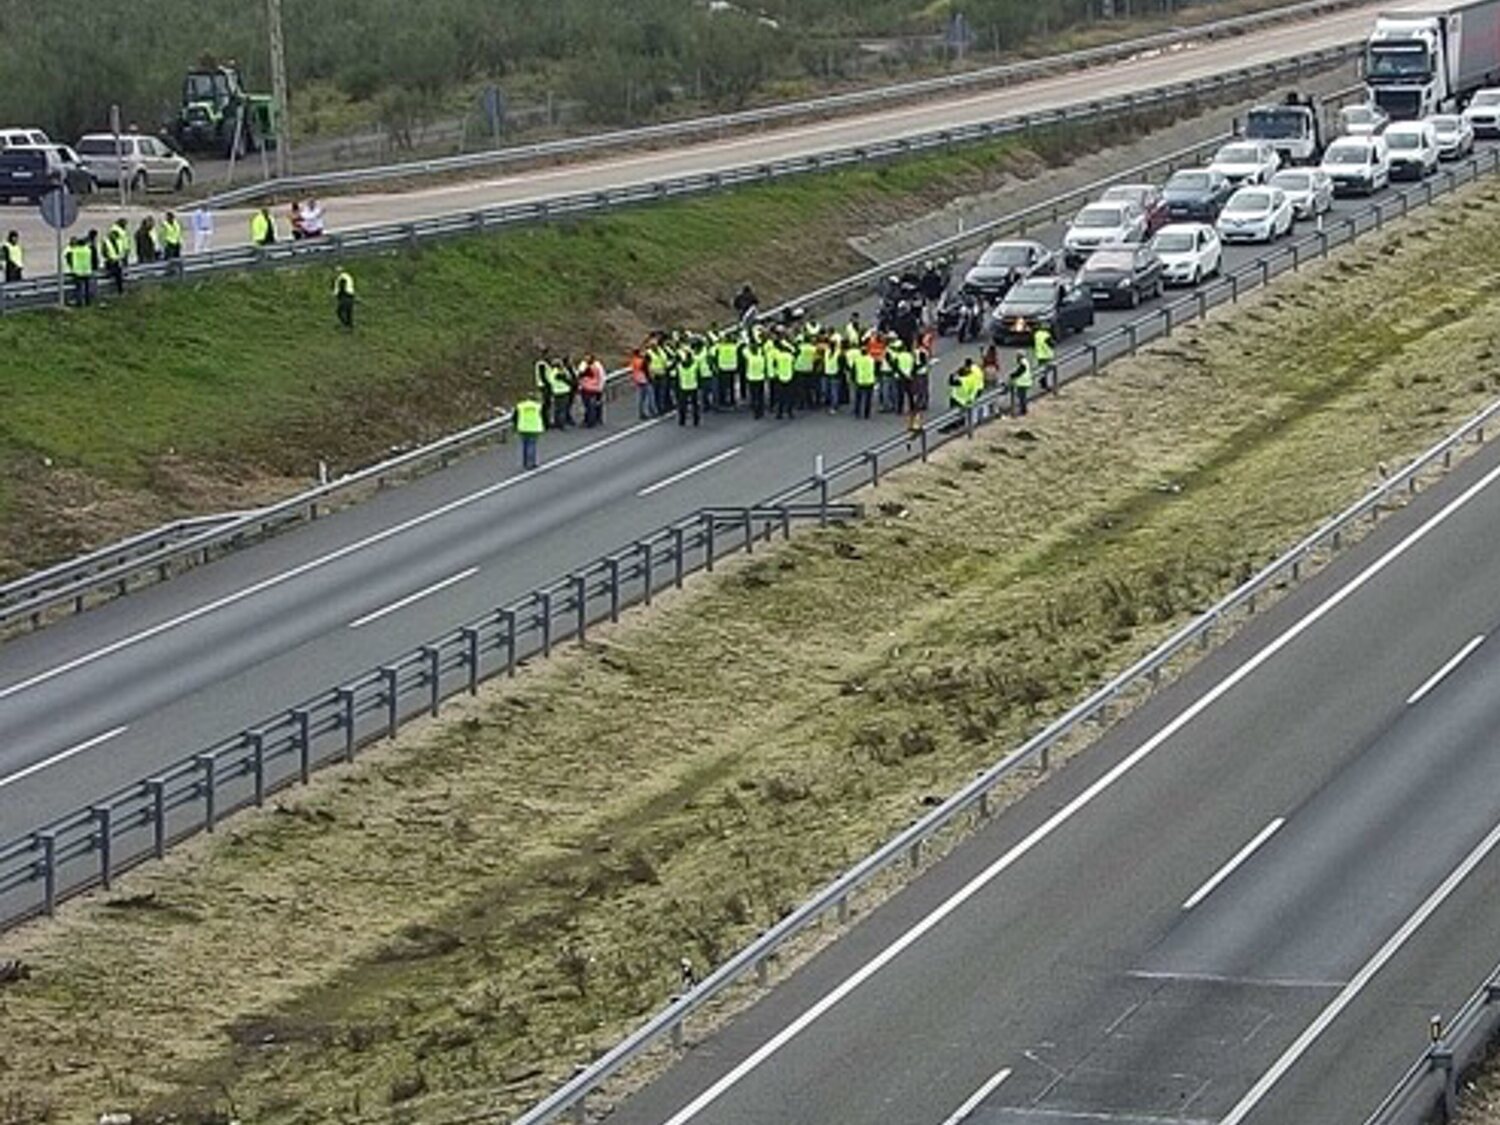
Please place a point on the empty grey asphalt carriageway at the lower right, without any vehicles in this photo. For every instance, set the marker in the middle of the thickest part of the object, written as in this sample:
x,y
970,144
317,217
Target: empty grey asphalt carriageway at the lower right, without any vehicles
x,y
1241,907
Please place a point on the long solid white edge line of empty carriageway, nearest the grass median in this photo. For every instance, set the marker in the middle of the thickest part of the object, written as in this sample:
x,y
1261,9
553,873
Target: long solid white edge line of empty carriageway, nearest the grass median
x,y
1078,805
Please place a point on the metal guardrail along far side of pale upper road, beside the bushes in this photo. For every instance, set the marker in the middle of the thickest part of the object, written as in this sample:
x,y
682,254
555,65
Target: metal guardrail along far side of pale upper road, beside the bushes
x,y
718,124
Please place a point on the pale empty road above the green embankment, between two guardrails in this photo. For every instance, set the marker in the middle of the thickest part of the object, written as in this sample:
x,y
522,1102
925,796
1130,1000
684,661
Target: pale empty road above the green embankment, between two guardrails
x,y
1142,73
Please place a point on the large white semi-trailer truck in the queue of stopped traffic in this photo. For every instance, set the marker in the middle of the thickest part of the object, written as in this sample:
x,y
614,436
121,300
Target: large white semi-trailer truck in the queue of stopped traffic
x,y
1420,64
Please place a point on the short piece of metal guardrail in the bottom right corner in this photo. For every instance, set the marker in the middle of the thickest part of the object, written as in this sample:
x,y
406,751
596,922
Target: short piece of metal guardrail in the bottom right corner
x,y
1430,1087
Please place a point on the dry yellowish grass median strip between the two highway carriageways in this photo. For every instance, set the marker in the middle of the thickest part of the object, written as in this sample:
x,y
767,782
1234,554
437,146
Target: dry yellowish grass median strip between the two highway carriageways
x,y
449,925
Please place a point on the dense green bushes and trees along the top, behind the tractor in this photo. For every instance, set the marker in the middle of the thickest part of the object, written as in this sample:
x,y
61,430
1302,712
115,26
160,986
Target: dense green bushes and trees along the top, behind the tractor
x,y
62,65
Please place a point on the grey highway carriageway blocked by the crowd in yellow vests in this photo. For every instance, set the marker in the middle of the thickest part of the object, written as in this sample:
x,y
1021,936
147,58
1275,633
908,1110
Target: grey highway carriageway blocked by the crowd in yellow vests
x,y
103,700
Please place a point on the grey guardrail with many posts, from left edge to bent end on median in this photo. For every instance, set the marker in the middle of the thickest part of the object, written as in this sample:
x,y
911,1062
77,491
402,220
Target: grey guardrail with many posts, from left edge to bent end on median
x,y
136,824
